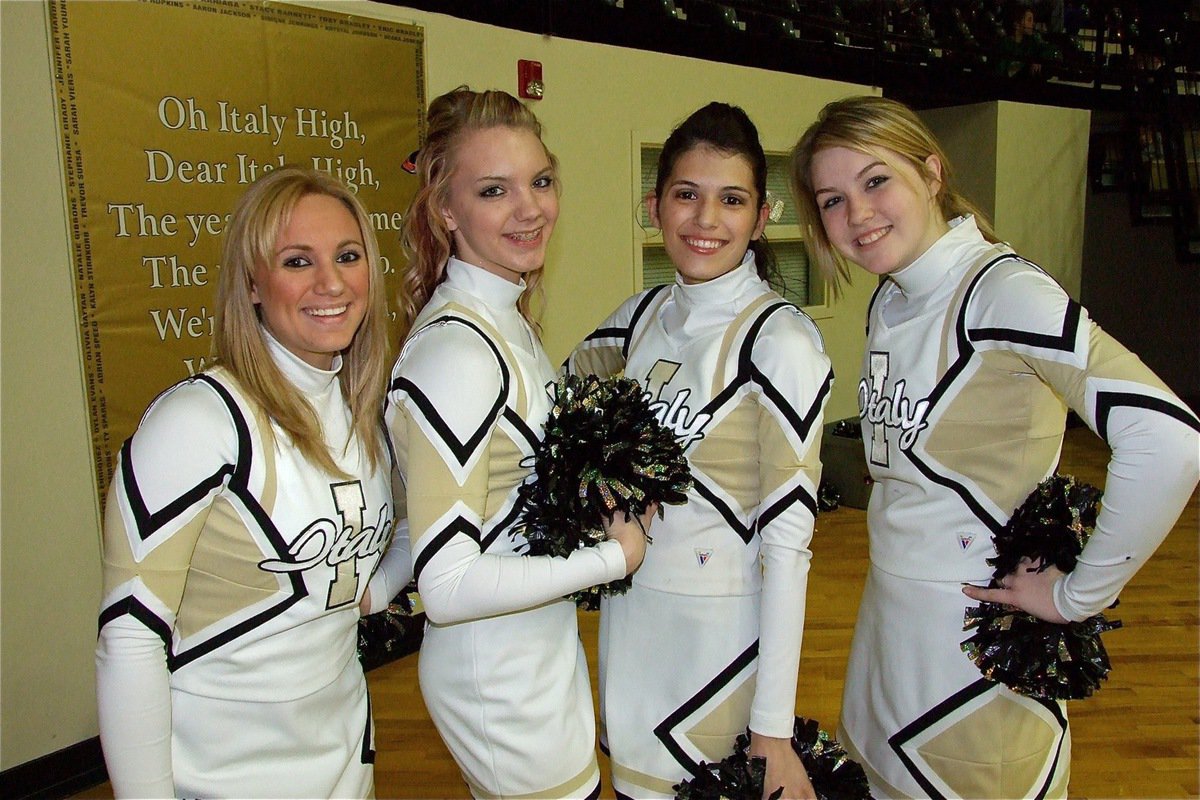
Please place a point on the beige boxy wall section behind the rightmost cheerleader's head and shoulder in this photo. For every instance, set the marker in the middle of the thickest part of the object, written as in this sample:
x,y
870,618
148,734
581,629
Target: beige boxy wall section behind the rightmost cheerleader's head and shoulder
x,y
1027,167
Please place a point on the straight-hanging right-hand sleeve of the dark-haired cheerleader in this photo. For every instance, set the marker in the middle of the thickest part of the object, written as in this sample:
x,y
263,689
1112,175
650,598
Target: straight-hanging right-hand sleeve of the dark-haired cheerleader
x,y
795,378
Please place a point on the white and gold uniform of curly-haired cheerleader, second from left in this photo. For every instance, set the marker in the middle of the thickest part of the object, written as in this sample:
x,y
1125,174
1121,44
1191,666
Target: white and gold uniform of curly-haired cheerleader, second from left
x,y
502,667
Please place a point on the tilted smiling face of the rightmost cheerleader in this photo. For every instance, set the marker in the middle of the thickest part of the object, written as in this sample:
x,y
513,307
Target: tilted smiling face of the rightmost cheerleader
x,y
879,214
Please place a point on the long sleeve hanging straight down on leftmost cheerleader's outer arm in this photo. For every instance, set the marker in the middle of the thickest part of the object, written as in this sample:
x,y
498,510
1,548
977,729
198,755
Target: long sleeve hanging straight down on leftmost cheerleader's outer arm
x,y
155,510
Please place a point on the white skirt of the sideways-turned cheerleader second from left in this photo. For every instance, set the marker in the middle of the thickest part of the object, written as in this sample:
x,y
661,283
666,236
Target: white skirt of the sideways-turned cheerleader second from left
x,y
512,700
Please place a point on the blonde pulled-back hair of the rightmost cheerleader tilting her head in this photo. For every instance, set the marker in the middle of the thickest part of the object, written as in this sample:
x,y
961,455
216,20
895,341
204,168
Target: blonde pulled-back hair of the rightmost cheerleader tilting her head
x,y
869,125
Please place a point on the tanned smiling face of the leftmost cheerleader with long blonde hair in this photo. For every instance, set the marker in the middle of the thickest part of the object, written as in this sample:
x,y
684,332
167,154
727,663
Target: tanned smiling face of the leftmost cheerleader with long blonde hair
x,y
313,296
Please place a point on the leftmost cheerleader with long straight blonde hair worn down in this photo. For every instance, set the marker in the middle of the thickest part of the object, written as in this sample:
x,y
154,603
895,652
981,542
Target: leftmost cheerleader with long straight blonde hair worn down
x,y
245,518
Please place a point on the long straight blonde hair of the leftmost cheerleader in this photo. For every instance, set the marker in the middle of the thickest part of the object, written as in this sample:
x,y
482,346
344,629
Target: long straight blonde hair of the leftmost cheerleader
x,y
241,347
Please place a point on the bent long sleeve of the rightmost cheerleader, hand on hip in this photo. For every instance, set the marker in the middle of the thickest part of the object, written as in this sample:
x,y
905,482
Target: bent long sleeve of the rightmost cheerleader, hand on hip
x,y
1155,438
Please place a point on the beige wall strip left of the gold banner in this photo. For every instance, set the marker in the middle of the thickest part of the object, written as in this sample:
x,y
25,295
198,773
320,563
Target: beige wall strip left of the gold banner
x,y
49,514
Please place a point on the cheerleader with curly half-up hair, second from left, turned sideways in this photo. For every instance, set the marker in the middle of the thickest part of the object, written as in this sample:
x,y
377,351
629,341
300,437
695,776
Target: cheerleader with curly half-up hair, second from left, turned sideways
x,y
502,669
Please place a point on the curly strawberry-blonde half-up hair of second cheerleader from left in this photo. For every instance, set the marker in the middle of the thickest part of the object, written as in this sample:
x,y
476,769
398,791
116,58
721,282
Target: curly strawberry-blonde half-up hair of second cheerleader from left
x,y
425,238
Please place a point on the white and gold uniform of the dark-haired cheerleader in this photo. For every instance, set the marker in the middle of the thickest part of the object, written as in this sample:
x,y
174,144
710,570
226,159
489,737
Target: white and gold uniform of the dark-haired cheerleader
x,y
709,639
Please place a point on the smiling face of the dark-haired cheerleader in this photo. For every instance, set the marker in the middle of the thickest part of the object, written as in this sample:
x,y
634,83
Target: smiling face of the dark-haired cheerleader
x,y
709,212
